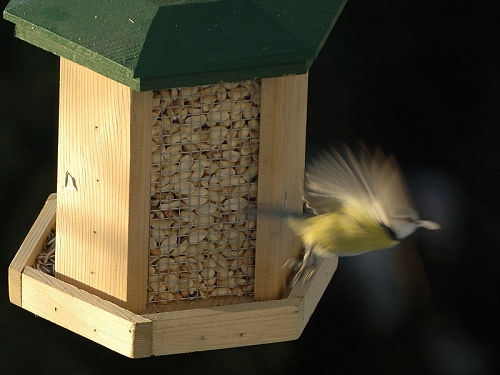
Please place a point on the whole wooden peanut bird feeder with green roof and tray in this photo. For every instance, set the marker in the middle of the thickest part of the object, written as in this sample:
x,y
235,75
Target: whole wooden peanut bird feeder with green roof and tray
x,y
175,117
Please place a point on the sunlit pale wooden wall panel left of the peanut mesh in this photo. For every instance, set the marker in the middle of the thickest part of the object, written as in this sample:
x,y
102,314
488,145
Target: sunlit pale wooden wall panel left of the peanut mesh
x,y
103,187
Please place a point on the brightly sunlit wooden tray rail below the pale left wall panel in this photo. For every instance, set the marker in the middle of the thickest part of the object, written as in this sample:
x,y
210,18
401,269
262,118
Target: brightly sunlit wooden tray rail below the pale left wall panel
x,y
87,315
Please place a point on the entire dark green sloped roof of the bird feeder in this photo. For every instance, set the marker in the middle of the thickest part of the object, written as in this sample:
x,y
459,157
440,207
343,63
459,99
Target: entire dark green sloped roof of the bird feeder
x,y
155,44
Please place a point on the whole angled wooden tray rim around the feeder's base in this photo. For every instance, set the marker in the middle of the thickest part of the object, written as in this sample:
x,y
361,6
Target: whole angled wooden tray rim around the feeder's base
x,y
136,336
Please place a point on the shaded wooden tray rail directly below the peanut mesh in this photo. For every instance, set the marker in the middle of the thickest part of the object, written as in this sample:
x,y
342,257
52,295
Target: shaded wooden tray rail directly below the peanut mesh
x,y
225,326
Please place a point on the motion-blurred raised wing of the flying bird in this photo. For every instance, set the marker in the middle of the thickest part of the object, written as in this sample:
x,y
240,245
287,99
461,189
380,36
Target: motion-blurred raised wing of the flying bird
x,y
373,181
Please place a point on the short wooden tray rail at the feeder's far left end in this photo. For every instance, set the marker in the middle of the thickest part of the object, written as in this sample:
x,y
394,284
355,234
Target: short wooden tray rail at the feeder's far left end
x,y
31,247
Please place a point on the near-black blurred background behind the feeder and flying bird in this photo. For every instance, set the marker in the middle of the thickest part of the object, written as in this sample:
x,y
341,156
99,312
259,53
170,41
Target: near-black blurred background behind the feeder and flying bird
x,y
420,78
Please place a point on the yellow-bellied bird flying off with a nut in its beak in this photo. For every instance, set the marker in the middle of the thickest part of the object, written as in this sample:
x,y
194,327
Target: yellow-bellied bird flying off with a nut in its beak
x,y
354,204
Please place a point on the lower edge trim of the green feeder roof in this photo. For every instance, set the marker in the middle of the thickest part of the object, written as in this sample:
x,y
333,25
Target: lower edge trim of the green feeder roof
x,y
296,62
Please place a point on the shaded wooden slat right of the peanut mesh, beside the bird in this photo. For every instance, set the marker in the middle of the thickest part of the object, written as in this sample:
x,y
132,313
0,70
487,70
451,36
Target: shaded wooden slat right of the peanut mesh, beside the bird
x,y
281,170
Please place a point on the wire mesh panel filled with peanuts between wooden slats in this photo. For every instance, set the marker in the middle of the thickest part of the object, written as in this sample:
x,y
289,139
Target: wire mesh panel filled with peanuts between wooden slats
x,y
203,177
